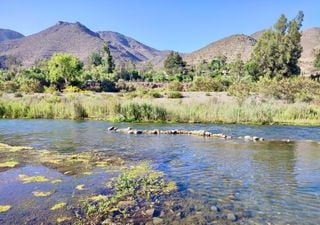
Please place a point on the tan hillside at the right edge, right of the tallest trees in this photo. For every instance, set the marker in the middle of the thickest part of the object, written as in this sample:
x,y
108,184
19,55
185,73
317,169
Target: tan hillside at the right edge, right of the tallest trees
x,y
310,42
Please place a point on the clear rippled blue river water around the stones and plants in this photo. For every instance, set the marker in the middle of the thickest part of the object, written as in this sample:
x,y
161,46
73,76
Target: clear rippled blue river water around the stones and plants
x,y
274,181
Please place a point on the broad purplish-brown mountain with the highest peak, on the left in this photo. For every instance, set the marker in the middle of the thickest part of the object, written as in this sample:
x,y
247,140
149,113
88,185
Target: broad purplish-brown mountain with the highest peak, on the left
x,y
76,39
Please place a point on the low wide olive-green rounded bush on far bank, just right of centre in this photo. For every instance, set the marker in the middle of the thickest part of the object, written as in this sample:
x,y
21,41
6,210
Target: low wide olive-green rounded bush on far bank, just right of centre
x,y
206,84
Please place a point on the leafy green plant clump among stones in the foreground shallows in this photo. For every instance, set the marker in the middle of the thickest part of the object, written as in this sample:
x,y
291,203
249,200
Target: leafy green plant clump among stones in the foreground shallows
x,y
137,186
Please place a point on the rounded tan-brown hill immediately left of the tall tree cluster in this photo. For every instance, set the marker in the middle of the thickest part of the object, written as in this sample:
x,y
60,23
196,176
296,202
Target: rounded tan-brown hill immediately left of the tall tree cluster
x,y
230,47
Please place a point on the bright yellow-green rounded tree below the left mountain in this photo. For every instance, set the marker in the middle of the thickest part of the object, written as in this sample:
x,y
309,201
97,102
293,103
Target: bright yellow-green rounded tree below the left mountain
x,y
63,69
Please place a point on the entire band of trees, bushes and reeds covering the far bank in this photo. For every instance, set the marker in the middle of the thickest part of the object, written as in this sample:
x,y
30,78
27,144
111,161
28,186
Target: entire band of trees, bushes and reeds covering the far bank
x,y
266,89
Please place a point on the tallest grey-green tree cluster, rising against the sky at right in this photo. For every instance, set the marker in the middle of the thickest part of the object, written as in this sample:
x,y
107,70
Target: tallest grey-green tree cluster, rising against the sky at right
x,y
278,51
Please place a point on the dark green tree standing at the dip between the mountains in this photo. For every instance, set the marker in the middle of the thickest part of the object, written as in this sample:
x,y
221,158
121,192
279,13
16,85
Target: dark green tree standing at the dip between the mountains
x,y
174,64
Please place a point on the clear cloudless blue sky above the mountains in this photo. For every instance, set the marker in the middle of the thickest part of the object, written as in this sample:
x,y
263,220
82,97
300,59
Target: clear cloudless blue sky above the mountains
x,y
181,25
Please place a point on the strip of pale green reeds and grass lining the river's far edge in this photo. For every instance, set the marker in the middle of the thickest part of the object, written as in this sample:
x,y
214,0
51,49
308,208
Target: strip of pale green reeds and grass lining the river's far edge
x,y
196,107
